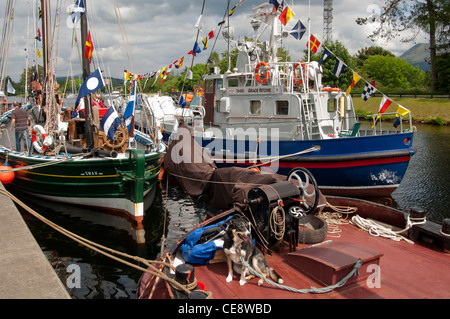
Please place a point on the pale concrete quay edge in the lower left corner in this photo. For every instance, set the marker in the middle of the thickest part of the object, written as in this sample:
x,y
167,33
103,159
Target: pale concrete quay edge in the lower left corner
x,y
25,272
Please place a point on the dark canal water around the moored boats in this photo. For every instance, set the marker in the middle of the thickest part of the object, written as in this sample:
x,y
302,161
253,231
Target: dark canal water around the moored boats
x,y
426,185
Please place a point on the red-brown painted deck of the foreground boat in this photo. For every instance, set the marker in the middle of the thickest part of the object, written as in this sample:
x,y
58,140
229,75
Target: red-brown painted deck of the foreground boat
x,y
406,270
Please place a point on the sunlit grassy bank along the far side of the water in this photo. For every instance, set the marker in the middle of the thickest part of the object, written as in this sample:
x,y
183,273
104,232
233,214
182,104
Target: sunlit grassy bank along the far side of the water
x,y
434,111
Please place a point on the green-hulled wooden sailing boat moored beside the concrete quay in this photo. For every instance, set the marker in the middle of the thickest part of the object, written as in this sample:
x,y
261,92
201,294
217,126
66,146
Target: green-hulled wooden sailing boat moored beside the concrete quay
x,y
74,163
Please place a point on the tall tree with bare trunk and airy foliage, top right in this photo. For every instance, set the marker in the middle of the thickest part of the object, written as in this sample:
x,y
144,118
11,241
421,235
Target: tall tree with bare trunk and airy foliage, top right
x,y
431,16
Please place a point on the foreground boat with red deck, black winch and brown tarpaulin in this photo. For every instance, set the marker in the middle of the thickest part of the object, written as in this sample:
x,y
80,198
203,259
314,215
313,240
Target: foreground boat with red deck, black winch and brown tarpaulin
x,y
322,246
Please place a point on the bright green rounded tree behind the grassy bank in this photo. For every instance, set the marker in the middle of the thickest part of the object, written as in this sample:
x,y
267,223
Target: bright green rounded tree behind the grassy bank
x,y
393,72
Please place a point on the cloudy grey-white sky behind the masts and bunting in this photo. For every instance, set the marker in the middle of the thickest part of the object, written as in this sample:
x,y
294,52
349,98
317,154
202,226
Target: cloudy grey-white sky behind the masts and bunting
x,y
161,31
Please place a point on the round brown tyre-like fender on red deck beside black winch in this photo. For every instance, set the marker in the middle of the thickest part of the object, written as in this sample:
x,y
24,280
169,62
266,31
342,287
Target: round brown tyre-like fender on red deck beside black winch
x,y
312,230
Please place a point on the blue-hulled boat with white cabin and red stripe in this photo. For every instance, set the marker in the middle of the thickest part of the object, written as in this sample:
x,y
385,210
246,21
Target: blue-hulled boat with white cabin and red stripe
x,y
280,116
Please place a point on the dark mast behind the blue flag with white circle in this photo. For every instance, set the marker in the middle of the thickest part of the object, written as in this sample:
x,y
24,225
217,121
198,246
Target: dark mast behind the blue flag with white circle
x,y
86,72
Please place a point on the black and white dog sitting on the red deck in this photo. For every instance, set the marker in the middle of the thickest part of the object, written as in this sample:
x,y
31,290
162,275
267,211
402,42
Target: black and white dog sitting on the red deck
x,y
238,243
